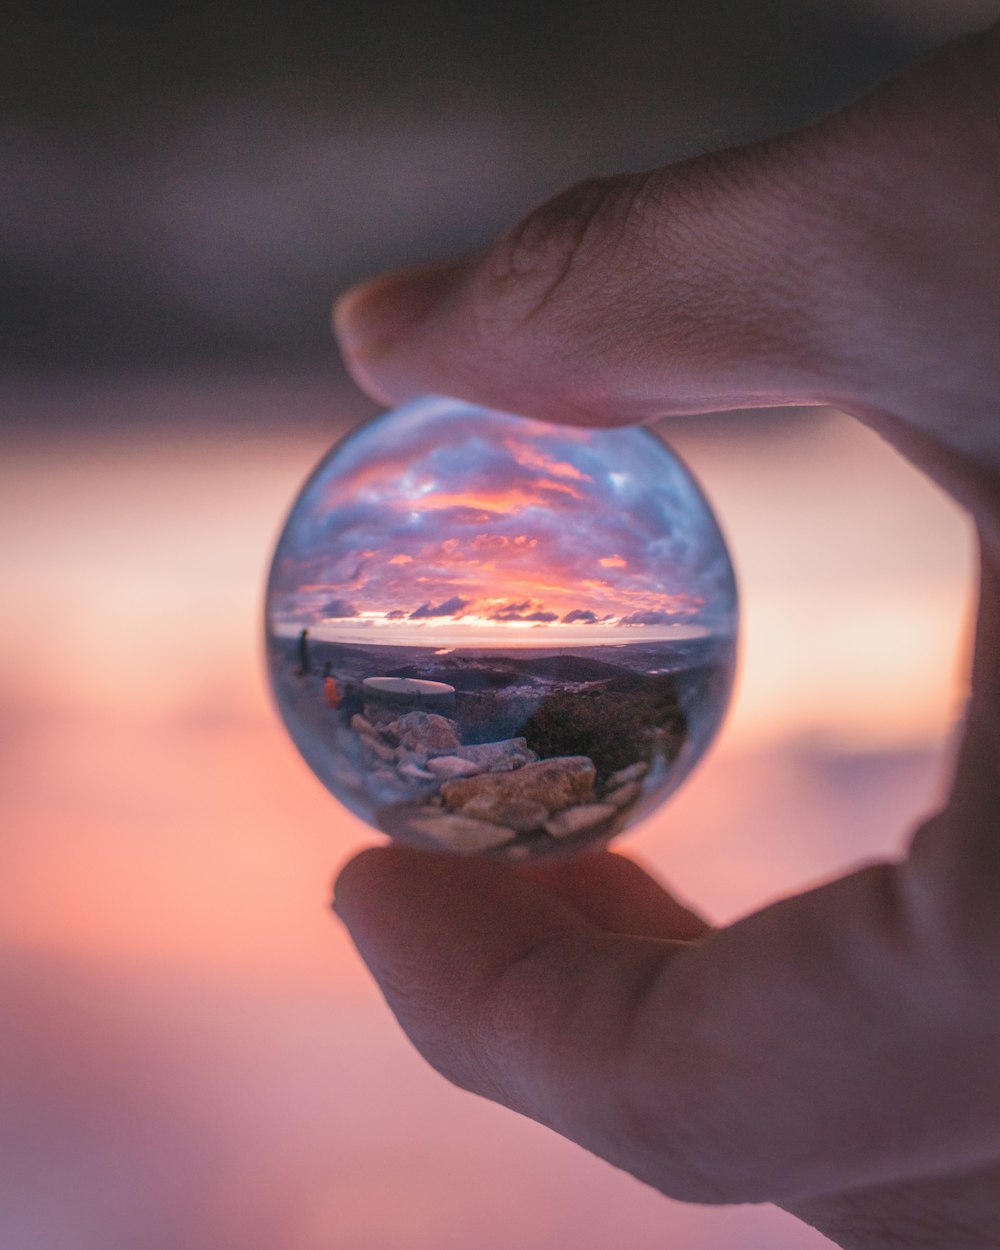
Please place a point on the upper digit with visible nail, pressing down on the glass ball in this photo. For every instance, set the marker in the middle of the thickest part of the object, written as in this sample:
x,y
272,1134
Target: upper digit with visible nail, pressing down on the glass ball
x,y
822,267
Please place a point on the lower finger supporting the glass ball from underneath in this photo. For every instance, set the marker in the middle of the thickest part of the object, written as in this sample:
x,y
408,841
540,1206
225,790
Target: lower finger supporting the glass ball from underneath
x,y
829,1043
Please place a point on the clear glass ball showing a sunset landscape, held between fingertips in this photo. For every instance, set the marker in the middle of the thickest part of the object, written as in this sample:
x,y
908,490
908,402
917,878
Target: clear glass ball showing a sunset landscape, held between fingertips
x,y
494,636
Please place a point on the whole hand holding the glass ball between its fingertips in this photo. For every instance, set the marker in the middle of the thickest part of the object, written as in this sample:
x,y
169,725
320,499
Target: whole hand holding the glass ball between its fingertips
x,y
837,1053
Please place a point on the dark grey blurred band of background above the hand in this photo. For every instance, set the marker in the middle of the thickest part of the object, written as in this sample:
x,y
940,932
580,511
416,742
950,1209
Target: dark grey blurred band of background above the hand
x,y
189,186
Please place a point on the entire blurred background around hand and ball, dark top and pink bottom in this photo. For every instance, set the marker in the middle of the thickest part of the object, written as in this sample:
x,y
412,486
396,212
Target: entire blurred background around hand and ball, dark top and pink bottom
x,y
191,1053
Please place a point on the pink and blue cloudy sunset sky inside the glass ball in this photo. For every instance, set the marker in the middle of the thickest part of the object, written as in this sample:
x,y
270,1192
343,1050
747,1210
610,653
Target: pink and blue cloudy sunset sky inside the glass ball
x,y
444,522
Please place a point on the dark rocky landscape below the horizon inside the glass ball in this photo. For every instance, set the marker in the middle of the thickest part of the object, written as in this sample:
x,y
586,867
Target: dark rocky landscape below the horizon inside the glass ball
x,y
531,754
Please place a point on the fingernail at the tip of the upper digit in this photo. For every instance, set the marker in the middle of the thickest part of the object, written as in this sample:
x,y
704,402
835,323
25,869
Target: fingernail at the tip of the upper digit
x,y
373,317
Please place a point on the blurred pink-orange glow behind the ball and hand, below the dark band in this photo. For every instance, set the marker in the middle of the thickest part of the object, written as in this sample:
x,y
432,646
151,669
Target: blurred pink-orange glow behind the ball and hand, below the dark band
x,y
198,1058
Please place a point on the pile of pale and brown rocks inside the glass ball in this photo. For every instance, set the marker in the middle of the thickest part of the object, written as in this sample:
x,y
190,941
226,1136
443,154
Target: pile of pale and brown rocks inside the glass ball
x,y
488,796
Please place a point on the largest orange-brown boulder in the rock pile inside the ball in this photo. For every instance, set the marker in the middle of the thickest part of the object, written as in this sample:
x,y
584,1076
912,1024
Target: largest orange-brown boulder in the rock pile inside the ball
x,y
526,797
